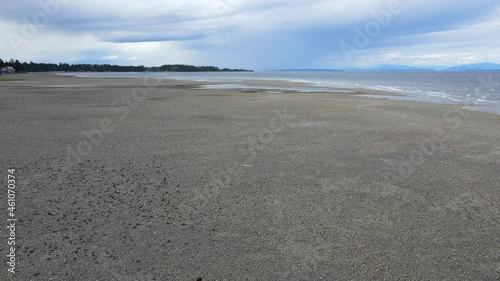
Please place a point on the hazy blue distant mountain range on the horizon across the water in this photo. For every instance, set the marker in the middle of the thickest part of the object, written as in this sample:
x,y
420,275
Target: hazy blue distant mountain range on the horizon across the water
x,y
405,68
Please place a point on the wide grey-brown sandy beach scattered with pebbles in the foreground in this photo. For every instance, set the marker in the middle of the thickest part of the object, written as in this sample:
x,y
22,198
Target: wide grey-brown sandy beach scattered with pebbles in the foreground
x,y
133,179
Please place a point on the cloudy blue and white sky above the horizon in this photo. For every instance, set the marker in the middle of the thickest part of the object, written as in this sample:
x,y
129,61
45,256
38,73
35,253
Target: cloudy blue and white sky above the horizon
x,y
257,34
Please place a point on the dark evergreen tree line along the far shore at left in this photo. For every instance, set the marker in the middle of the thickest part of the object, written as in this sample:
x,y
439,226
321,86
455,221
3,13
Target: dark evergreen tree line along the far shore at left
x,y
23,67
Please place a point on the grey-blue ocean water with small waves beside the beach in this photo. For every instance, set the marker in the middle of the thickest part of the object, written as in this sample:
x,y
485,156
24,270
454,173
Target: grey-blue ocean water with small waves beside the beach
x,y
473,90
